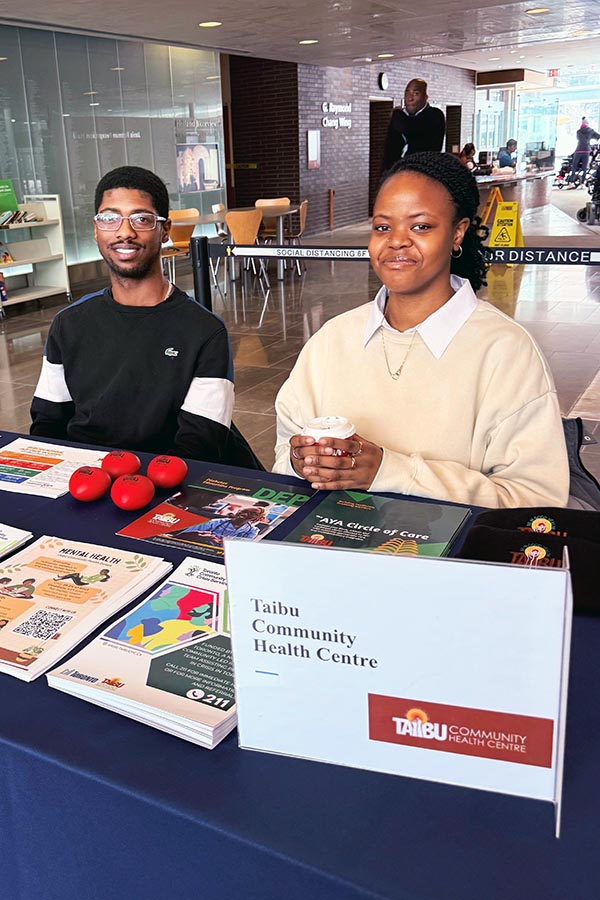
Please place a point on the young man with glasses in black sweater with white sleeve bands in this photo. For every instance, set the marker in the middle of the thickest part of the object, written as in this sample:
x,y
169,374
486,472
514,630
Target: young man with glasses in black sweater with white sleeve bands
x,y
139,365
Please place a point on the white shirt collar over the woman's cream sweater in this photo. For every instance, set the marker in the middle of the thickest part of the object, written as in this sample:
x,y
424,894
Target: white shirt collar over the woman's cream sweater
x,y
438,329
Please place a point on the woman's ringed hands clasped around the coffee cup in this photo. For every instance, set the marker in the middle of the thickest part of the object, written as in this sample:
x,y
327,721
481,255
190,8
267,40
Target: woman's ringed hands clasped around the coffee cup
x,y
327,469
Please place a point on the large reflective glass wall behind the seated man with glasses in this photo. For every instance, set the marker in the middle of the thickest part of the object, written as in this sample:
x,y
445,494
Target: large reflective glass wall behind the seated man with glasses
x,y
73,107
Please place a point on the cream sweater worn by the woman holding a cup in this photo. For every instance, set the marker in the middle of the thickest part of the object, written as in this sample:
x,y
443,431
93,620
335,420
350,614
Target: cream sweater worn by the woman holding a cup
x,y
480,425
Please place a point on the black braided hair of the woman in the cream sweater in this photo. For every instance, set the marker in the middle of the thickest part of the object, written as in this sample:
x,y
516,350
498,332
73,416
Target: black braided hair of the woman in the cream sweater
x,y
448,171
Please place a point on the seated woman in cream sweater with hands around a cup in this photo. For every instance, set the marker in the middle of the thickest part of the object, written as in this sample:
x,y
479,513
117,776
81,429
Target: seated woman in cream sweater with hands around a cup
x,y
450,398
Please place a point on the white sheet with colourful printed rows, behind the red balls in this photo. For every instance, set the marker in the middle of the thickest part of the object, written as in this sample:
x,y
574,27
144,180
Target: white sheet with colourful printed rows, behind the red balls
x,y
28,466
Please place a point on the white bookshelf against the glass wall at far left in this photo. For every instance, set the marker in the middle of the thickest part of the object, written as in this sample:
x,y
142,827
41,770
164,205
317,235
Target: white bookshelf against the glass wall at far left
x,y
42,251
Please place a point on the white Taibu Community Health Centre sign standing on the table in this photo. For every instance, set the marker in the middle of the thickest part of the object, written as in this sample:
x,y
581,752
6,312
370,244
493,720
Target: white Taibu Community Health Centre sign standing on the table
x,y
442,669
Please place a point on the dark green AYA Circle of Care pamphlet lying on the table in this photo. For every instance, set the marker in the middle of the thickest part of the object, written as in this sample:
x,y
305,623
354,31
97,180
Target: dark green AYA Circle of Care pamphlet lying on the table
x,y
360,521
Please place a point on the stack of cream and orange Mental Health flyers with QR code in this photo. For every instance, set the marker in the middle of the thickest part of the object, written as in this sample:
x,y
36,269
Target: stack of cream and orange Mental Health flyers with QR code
x,y
55,592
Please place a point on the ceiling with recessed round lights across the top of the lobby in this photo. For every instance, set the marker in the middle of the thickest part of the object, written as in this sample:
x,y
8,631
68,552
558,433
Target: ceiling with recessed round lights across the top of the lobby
x,y
458,32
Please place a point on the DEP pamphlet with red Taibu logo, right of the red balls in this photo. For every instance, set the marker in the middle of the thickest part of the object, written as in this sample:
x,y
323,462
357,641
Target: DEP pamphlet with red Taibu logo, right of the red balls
x,y
200,516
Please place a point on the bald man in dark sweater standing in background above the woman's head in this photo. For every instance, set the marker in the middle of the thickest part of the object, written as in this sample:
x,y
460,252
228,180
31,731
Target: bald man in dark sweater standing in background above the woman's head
x,y
414,128
